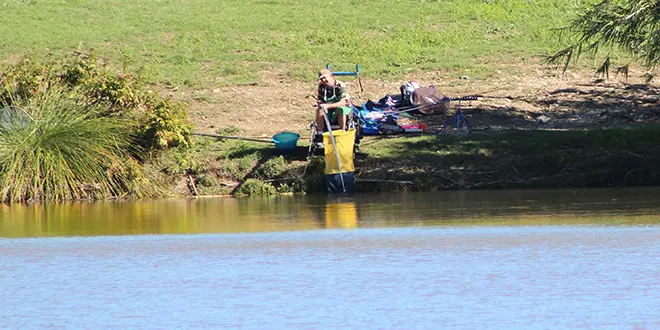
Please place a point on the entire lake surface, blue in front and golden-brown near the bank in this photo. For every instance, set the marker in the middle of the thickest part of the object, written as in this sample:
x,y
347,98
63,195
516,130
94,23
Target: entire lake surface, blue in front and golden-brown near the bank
x,y
530,259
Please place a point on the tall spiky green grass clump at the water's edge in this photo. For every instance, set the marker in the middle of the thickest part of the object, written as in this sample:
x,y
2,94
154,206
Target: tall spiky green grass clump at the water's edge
x,y
55,148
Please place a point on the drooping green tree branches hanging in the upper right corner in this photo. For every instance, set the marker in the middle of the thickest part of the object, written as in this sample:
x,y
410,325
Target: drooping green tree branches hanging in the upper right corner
x,y
628,25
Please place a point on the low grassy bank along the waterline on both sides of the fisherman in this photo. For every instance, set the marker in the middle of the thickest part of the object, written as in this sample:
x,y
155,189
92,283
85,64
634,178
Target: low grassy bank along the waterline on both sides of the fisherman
x,y
510,159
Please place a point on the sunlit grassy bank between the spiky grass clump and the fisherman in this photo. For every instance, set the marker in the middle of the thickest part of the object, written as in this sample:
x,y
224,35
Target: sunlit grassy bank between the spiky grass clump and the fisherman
x,y
240,168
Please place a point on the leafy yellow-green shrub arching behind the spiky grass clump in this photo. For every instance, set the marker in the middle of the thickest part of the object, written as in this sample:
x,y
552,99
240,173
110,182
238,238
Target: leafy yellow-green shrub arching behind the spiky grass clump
x,y
162,123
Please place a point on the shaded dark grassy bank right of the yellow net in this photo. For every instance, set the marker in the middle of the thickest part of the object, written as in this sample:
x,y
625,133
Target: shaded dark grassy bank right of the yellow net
x,y
520,159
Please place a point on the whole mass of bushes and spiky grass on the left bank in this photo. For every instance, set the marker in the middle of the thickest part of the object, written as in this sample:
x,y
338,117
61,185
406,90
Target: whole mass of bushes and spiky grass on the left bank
x,y
80,128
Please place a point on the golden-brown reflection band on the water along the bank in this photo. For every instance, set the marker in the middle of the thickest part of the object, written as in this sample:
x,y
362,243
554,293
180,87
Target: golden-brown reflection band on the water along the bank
x,y
227,215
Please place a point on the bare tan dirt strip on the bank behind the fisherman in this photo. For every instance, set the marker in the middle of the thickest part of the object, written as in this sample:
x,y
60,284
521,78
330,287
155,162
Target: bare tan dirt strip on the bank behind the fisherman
x,y
529,98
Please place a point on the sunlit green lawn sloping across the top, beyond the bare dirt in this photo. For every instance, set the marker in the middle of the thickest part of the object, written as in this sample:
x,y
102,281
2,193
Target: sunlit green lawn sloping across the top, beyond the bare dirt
x,y
212,42
